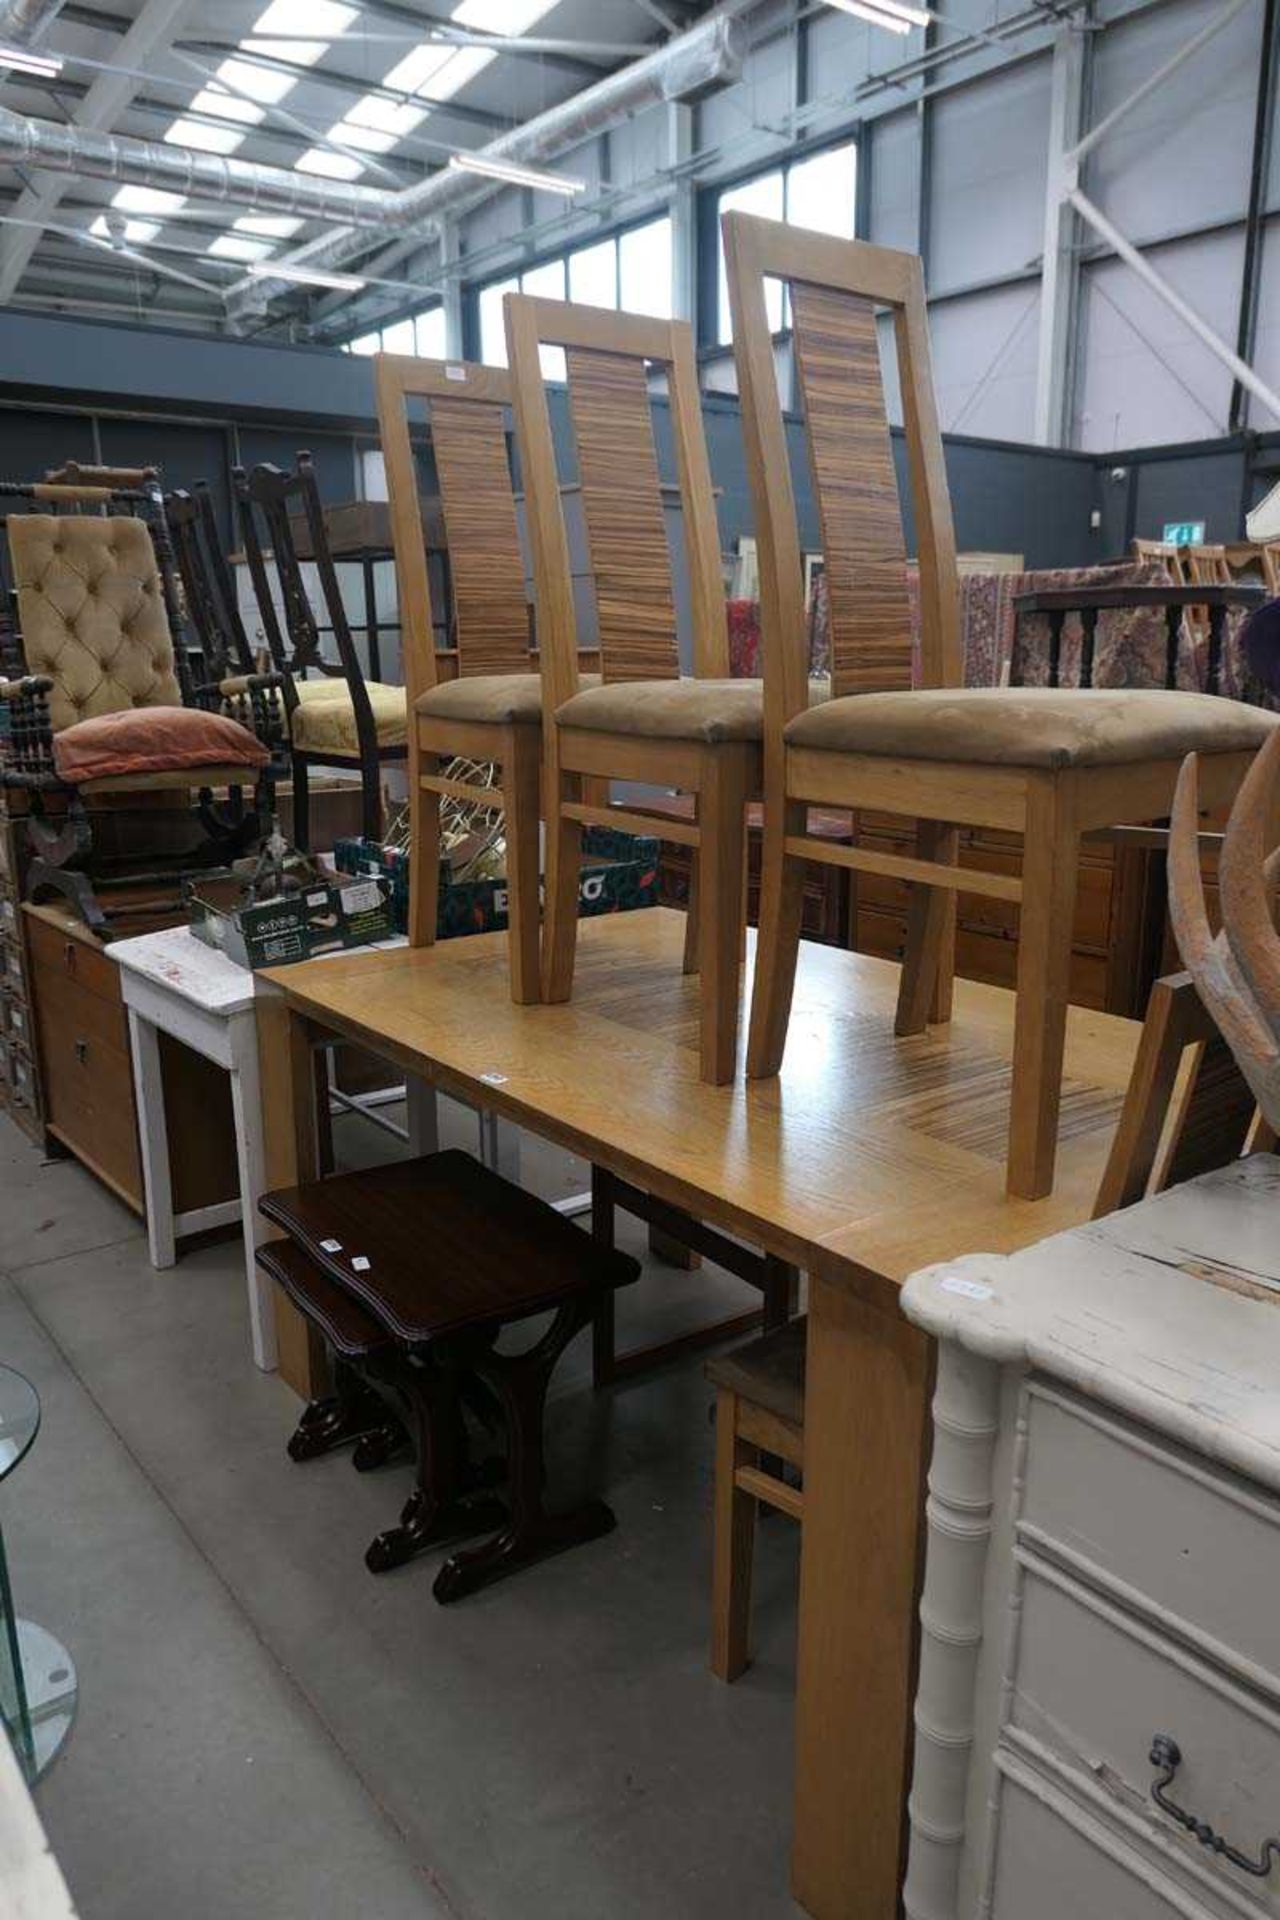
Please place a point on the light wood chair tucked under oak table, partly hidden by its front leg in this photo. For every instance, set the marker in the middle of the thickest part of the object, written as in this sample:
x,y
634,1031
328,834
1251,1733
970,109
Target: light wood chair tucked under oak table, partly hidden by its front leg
x,y
759,1408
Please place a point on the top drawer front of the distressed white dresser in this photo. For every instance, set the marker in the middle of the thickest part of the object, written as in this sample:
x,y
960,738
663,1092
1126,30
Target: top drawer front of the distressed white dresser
x,y
1131,1510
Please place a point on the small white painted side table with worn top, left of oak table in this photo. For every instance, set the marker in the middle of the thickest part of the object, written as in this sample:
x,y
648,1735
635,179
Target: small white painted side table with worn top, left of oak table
x,y
174,984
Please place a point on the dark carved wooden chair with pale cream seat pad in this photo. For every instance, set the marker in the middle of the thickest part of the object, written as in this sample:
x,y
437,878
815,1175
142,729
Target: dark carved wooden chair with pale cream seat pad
x,y
337,717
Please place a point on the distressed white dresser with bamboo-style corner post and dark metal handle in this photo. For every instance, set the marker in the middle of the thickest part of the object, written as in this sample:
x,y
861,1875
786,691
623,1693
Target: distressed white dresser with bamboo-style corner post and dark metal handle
x,y
1099,1708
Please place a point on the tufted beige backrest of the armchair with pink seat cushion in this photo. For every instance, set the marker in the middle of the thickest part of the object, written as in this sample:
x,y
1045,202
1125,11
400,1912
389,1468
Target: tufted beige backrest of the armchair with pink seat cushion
x,y
93,615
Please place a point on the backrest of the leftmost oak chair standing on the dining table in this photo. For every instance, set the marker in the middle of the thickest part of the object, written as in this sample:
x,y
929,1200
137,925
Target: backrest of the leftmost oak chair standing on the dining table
x,y
467,412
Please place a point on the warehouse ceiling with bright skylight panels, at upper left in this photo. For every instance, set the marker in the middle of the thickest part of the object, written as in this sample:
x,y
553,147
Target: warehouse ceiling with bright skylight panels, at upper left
x,y
379,93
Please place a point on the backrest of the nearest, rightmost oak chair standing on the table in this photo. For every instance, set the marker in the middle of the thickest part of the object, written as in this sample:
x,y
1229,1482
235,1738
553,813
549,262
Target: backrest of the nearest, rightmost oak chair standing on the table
x,y
836,289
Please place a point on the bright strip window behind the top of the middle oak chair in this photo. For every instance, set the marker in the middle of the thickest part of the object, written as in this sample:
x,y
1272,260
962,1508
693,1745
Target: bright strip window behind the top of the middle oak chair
x,y
630,270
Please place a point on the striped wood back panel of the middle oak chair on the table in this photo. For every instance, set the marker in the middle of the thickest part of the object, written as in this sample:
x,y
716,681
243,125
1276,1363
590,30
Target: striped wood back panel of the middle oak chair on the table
x,y
623,512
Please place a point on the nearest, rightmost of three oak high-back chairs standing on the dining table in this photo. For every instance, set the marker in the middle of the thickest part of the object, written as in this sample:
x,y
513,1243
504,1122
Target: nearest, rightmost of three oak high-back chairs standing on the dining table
x,y
1037,761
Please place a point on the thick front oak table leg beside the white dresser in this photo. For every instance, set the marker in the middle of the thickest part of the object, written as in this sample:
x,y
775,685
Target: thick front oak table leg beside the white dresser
x,y
866,1424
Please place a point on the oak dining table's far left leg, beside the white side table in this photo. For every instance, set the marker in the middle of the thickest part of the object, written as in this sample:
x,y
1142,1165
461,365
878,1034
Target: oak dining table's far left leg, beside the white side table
x,y
287,1090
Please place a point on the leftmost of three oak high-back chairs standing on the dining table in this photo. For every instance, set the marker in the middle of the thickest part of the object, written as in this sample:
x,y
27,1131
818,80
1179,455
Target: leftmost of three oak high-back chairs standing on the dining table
x,y
490,711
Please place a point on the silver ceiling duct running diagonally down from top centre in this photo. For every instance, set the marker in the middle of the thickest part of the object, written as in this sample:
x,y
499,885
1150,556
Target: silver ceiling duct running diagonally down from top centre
x,y
690,66
